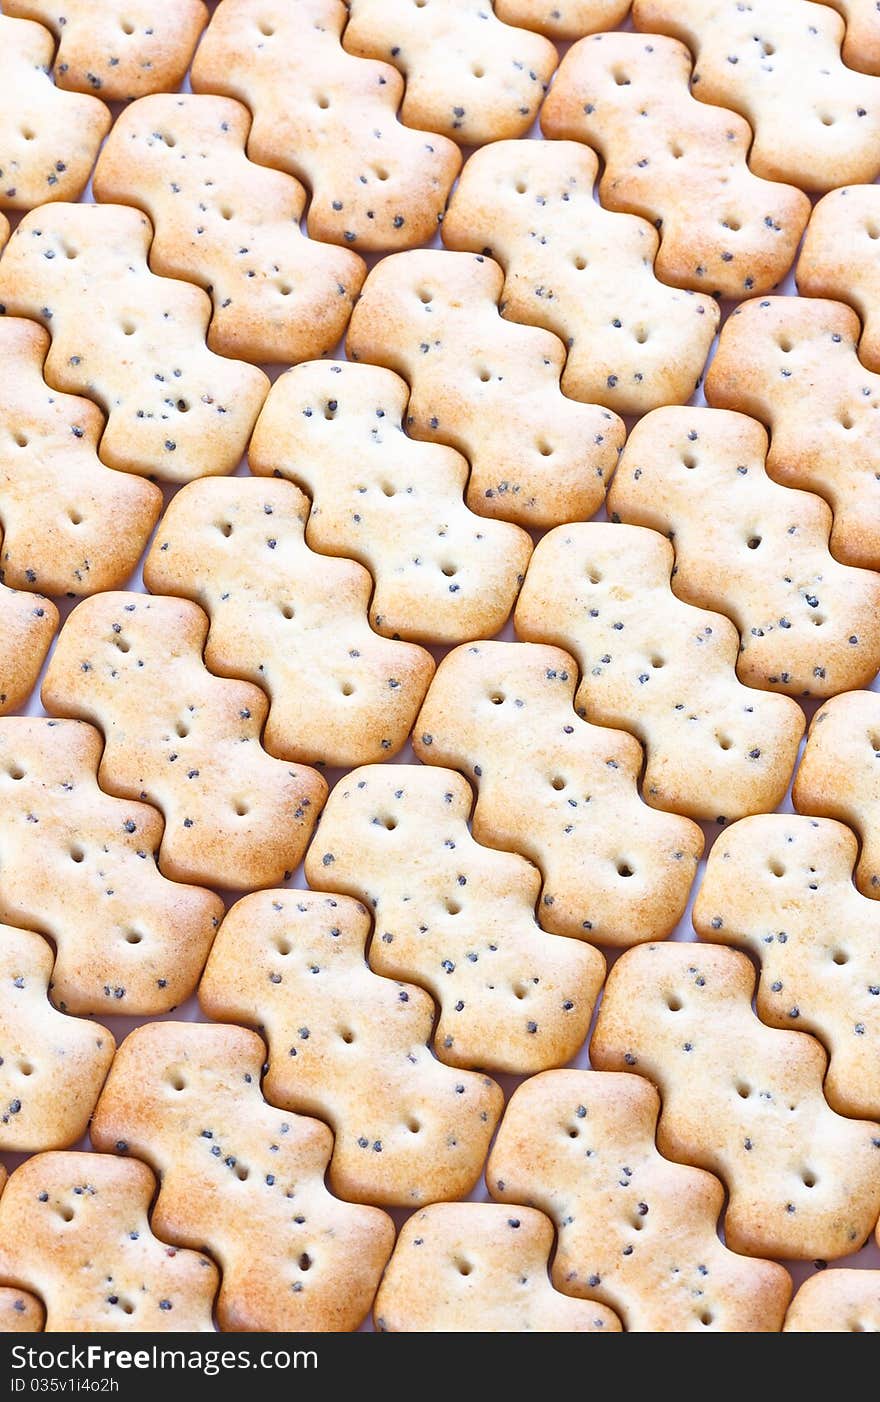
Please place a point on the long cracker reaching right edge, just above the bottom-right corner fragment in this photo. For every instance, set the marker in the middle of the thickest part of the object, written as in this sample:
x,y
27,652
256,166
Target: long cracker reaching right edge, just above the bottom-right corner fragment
x,y
742,1100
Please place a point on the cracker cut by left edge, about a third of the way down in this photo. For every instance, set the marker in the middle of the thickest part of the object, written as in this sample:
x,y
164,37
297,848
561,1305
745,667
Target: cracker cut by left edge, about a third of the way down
x,y
72,525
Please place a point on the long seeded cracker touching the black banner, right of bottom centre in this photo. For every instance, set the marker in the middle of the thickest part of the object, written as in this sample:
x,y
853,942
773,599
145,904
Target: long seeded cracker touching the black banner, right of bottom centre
x,y
635,1232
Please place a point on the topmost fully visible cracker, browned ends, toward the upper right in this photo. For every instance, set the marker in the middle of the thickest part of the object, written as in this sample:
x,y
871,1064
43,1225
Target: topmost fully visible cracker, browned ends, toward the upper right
x,y
680,166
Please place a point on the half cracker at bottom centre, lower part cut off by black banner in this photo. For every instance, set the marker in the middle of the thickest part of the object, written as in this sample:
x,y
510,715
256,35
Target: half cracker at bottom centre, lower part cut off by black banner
x,y
463,1268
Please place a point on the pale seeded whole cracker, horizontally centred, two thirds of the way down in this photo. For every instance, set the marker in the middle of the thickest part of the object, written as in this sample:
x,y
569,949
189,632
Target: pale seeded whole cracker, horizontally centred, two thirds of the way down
x,y
456,918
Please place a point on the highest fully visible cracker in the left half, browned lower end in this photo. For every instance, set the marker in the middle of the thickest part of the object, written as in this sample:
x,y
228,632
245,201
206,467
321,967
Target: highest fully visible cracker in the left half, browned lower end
x,y
231,226
